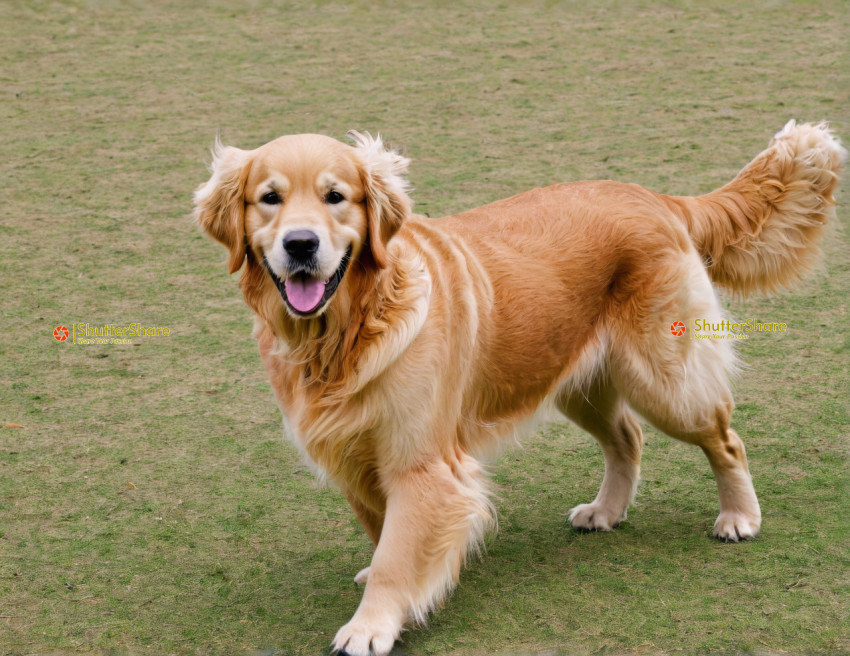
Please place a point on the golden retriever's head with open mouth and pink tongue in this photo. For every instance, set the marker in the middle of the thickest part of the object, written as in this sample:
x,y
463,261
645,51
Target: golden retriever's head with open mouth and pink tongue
x,y
305,206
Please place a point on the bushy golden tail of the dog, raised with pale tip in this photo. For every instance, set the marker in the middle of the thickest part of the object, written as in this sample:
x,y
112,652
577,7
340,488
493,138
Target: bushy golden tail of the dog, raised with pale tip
x,y
761,232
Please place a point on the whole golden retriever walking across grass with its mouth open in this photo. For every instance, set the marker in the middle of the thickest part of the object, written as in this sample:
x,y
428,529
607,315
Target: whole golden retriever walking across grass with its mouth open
x,y
403,349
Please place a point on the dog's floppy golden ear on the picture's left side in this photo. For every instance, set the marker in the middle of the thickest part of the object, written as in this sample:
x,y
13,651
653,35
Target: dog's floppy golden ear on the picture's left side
x,y
220,202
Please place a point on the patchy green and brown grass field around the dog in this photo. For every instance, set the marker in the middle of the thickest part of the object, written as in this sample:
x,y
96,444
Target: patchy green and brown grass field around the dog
x,y
148,503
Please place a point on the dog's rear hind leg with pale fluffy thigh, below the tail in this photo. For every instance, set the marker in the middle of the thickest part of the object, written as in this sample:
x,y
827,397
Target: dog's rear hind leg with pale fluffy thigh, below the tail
x,y
680,384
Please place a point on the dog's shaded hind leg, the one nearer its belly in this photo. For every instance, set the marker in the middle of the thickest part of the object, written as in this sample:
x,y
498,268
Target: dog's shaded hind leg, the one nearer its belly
x,y
601,411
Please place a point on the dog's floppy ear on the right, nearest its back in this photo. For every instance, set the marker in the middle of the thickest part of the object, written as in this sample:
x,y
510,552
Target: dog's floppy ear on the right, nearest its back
x,y
387,202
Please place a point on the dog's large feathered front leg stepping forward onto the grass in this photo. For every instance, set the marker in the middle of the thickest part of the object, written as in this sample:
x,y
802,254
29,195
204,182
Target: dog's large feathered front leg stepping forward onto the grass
x,y
434,514
